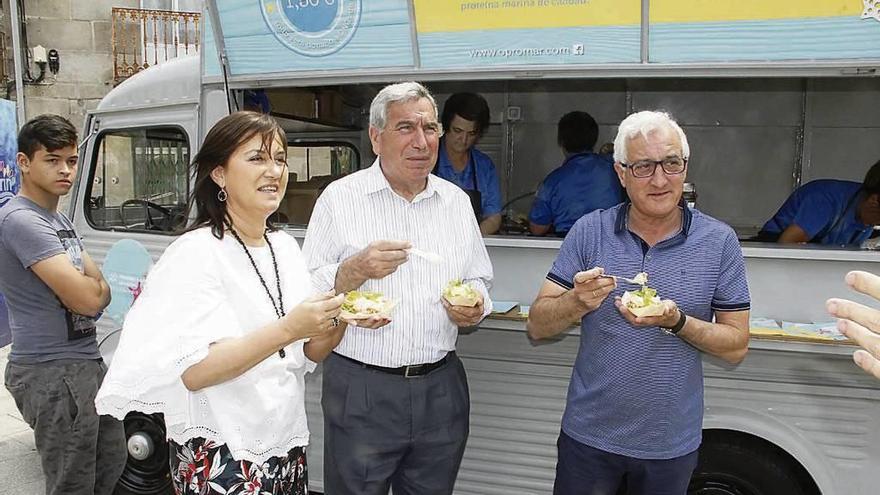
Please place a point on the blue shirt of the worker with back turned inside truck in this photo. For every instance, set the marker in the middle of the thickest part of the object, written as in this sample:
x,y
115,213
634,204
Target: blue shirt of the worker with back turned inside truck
x,y
583,183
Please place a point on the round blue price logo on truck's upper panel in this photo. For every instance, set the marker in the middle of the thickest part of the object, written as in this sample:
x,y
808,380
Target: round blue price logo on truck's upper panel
x,y
314,28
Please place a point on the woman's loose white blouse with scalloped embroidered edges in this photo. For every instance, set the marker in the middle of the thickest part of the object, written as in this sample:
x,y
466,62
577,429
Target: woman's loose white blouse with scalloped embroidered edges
x,y
203,290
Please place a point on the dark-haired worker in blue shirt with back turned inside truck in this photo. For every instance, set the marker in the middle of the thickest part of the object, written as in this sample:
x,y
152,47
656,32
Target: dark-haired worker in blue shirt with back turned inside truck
x,y
585,181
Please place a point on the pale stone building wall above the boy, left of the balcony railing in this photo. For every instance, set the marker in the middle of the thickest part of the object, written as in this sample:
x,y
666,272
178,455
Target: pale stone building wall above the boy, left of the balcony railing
x,y
80,31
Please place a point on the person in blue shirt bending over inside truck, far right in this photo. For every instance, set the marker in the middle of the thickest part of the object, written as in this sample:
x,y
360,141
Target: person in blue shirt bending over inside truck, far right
x,y
826,211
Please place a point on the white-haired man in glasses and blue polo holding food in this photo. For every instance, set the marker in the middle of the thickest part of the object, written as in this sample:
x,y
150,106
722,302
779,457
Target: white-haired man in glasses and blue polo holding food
x,y
635,402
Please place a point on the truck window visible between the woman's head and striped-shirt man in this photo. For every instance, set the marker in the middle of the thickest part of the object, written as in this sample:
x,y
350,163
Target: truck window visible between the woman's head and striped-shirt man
x,y
311,167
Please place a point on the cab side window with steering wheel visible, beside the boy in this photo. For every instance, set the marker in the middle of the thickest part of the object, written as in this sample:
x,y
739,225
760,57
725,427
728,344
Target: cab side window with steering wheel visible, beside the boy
x,y
139,180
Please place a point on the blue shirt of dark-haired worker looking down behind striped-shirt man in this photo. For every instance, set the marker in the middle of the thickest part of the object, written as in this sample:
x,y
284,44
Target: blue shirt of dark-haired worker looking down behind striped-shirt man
x,y
487,178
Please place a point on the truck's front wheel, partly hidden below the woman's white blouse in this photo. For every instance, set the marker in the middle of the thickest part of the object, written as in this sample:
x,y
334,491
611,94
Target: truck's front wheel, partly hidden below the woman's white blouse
x,y
146,468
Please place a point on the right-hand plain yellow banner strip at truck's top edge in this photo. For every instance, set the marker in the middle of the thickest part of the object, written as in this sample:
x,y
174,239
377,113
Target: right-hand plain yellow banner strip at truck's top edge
x,y
749,10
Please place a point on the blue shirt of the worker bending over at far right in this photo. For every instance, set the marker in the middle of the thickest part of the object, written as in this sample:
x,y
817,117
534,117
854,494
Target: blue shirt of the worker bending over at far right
x,y
826,210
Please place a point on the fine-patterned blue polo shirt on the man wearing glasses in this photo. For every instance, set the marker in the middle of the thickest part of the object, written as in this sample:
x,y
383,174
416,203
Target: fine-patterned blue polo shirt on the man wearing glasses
x,y
637,391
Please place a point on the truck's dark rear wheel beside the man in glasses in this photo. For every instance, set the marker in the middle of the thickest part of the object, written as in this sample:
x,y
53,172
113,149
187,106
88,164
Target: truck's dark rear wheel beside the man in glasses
x,y
740,466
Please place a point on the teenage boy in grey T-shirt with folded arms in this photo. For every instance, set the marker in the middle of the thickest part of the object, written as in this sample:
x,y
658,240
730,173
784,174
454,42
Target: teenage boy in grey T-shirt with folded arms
x,y
54,291
